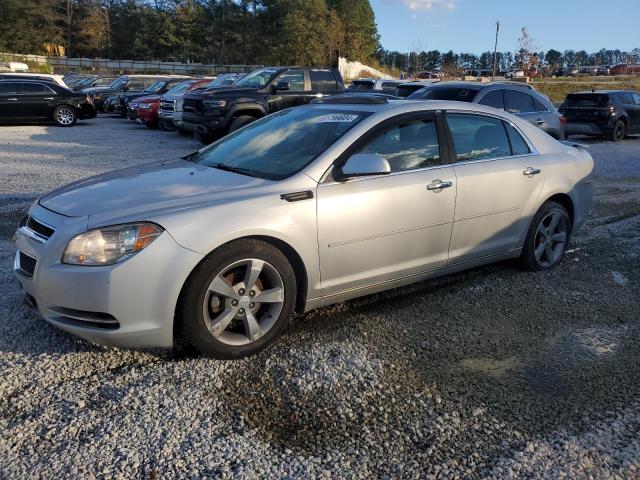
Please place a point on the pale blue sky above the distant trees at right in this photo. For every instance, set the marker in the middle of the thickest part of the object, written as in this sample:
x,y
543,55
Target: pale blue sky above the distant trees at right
x,y
469,25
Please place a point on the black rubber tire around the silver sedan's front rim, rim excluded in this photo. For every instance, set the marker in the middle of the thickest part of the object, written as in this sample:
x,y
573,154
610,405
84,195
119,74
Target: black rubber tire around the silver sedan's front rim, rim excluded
x,y
193,328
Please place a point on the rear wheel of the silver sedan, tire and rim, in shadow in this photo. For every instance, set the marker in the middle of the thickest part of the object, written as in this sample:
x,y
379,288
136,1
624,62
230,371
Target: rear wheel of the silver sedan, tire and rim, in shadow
x,y
547,238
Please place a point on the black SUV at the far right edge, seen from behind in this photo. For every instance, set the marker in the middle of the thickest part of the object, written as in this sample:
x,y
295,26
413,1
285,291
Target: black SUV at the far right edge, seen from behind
x,y
610,113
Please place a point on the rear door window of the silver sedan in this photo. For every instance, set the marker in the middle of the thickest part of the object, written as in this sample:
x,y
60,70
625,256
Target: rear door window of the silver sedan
x,y
478,137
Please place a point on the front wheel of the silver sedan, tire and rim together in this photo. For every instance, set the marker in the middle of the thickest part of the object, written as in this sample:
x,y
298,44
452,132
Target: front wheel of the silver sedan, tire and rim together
x,y
238,300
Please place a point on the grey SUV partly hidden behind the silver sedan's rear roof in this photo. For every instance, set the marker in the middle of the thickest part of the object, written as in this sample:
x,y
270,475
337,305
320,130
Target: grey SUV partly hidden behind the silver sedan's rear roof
x,y
514,97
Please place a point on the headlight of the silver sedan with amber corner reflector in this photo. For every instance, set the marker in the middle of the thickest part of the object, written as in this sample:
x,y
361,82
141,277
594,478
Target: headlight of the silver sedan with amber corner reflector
x,y
109,245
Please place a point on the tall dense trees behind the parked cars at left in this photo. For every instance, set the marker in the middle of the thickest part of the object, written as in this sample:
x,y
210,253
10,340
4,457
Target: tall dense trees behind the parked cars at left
x,y
302,32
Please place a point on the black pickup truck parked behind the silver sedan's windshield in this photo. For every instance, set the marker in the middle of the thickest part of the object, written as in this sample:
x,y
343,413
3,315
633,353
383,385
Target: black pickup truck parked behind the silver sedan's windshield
x,y
214,112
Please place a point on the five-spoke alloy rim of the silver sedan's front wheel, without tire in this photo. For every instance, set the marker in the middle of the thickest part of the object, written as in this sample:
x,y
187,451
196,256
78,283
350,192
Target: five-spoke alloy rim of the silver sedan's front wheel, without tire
x,y
243,302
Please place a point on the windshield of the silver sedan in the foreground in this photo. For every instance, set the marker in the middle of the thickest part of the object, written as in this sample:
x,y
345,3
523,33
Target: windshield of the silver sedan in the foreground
x,y
281,144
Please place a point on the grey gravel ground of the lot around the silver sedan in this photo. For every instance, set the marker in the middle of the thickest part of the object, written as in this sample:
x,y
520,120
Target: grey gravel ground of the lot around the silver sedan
x,y
489,373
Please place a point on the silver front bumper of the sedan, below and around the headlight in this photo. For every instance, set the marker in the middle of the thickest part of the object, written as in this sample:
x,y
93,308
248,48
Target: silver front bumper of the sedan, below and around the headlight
x,y
130,304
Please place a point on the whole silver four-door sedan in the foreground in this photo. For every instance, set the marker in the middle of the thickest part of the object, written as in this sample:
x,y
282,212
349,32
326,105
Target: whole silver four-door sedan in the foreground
x,y
307,207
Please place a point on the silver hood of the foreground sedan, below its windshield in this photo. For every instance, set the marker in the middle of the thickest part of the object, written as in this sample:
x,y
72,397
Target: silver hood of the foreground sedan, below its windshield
x,y
148,189
